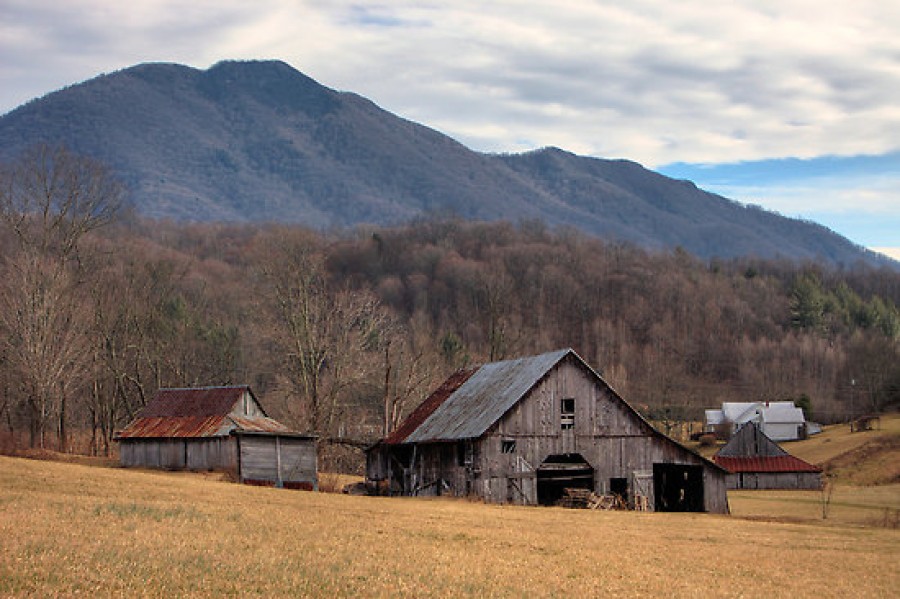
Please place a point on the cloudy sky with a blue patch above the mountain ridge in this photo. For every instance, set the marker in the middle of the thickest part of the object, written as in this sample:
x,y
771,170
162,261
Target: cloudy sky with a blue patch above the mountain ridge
x,y
790,104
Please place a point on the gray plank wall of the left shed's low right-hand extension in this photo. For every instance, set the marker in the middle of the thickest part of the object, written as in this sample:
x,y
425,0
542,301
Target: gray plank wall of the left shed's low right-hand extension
x,y
279,460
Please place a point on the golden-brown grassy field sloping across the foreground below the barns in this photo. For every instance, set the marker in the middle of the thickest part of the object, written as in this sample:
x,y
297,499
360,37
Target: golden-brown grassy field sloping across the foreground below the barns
x,y
70,529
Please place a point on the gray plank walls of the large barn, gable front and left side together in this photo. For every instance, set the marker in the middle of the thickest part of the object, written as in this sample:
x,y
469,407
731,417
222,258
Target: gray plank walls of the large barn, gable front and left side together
x,y
611,438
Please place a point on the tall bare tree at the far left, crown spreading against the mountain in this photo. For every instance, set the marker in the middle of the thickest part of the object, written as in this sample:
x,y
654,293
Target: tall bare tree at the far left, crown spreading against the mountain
x,y
49,200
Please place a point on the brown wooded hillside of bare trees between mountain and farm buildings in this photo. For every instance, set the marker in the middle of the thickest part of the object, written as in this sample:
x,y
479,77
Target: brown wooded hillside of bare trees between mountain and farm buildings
x,y
342,333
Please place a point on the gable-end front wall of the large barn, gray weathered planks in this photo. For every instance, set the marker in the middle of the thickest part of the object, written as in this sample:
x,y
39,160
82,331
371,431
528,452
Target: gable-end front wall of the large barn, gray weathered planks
x,y
605,432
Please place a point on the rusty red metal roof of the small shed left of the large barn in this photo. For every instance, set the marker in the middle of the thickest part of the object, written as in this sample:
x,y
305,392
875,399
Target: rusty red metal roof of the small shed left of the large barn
x,y
199,412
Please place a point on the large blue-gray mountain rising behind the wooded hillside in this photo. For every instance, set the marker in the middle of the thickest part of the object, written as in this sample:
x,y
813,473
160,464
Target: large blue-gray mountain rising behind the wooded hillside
x,y
260,141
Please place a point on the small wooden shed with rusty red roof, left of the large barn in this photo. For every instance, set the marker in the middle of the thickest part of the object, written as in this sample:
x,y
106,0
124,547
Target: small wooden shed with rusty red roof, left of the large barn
x,y
218,428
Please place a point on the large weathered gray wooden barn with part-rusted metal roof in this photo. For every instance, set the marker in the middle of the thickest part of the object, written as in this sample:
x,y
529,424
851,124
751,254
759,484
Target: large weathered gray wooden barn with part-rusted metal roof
x,y
524,431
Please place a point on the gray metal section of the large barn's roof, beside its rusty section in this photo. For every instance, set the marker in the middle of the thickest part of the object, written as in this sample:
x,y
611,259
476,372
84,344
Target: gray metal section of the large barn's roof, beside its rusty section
x,y
484,397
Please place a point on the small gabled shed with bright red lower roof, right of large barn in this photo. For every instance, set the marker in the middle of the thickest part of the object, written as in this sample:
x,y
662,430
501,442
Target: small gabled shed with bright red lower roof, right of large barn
x,y
755,461
